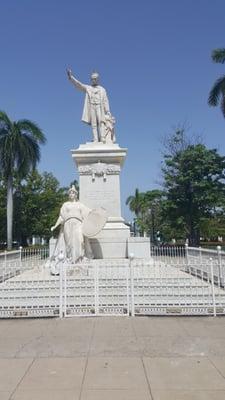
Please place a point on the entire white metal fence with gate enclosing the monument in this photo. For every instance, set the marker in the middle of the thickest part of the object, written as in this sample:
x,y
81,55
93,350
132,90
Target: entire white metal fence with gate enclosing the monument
x,y
180,281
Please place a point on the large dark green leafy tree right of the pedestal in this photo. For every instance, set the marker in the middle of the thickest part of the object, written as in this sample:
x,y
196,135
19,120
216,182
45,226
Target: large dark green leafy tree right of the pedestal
x,y
194,181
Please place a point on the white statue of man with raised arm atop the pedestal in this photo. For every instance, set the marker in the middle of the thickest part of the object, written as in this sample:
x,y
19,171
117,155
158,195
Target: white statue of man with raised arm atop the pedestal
x,y
96,110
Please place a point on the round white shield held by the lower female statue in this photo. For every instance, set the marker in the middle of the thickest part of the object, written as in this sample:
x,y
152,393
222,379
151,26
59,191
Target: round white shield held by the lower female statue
x,y
94,222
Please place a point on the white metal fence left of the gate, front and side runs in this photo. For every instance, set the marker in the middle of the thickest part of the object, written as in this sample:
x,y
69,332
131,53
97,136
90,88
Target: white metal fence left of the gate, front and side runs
x,y
27,289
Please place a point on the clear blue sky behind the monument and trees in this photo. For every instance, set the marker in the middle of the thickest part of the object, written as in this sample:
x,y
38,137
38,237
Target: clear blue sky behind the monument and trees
x,y
153,57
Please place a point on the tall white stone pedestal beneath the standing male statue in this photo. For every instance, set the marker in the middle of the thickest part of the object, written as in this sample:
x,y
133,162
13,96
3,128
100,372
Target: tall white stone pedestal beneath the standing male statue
x,y
99,167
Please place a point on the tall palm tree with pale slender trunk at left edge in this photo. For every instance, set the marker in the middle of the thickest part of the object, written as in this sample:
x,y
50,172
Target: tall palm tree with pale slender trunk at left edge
x,y
19,153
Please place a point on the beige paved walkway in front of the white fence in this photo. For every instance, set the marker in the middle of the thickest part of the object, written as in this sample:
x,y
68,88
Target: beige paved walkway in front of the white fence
x,y
142,358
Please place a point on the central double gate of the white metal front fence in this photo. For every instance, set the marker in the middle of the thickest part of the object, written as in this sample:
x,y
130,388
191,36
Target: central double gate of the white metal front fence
x,y
95,288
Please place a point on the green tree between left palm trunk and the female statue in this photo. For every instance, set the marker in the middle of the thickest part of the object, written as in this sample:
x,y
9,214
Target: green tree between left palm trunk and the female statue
x,y
37,204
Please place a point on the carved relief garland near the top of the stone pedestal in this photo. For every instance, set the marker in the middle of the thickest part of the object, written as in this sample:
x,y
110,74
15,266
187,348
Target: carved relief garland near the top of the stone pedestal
x,y
99,169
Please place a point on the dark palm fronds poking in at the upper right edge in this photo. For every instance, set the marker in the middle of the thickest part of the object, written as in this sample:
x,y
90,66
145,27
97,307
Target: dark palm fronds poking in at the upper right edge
x,y
217,93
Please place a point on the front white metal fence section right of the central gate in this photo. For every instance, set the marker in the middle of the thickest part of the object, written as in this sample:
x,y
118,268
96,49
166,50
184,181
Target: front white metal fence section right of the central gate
x,y
165,290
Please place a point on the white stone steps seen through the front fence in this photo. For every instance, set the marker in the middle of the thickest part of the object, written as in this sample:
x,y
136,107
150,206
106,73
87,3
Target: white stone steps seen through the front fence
x,y
37,293
